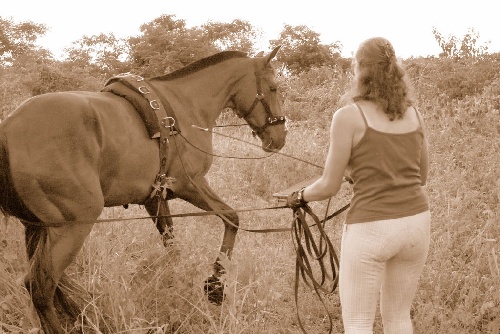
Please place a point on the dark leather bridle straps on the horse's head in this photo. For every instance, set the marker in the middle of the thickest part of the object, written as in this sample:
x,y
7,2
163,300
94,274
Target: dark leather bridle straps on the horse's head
x,y
260,97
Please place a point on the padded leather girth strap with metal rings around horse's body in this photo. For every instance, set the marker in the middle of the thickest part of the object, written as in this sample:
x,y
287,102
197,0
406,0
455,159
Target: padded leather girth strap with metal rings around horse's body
x,y
157,114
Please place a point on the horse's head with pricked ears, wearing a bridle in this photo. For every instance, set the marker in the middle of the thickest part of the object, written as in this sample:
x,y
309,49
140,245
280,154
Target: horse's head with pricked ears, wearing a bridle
x,y
256,100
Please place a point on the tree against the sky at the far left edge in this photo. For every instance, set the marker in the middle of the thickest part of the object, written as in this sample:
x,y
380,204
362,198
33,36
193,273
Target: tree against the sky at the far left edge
x,y
17,40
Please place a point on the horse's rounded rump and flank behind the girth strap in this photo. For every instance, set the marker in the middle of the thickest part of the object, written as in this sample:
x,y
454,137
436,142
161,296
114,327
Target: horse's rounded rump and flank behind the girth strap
x,y
70,153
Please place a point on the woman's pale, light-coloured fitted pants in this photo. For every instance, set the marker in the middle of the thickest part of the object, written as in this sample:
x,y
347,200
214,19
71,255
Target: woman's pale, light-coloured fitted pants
x,y
382,258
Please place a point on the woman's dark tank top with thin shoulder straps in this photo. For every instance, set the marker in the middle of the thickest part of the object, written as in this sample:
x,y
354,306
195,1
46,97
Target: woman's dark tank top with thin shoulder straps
x,y
385,169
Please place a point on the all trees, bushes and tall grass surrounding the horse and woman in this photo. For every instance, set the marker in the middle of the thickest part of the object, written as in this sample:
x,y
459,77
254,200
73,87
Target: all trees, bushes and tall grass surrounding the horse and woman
x,y
136,285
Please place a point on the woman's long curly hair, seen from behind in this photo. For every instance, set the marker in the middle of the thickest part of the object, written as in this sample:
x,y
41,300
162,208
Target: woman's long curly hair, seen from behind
x,y
379,77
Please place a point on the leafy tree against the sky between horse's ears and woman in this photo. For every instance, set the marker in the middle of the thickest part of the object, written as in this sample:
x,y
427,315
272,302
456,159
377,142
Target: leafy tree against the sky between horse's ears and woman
x,y
301,49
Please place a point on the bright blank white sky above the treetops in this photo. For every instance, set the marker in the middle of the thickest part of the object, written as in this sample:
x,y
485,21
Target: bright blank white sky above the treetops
x,y
407,24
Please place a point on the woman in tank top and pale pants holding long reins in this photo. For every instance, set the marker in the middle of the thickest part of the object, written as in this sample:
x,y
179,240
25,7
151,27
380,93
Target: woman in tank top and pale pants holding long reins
x,y
379,138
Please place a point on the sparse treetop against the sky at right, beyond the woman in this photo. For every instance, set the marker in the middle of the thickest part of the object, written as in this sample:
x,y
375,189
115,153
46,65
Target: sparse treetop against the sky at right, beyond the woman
x,y
465,47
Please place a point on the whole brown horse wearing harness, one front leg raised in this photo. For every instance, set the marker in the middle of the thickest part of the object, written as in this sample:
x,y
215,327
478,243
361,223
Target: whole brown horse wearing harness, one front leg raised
x,y
64,156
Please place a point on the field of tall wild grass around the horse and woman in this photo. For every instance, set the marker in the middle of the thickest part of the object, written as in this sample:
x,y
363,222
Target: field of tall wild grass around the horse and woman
x,y
136,285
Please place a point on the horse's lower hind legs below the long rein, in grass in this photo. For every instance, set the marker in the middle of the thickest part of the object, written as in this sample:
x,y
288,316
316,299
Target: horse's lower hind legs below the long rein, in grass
x,y
50,251
